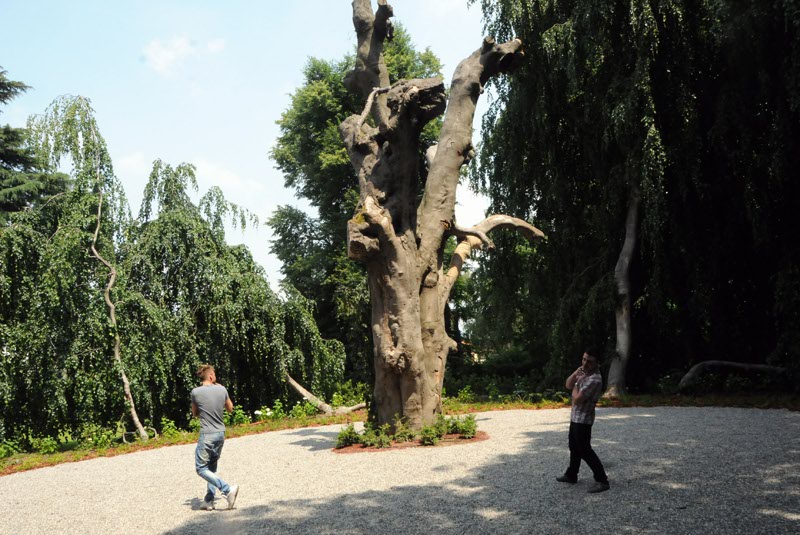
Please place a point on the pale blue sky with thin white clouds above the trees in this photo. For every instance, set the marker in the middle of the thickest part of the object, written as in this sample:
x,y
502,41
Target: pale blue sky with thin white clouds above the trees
x,y
203,82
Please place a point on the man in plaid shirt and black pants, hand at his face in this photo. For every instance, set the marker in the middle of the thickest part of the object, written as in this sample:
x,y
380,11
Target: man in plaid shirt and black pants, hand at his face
x,y
586,384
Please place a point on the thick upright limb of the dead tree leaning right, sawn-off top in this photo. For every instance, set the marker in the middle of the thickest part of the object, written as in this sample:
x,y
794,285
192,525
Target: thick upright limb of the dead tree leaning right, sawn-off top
x,y
455,143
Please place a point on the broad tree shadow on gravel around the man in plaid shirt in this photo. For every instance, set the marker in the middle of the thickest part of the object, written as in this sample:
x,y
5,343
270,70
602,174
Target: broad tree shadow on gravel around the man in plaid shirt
x,y
671,472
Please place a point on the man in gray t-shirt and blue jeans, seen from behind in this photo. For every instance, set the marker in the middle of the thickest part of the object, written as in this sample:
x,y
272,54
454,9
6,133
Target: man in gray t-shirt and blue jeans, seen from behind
x,y
208,401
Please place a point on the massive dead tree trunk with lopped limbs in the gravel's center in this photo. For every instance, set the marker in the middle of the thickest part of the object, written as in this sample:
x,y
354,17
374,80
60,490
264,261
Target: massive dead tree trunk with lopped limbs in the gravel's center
x,y
402,243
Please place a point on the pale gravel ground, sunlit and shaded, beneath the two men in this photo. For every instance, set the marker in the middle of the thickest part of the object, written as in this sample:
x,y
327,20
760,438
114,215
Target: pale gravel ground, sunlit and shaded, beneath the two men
x,y
672,470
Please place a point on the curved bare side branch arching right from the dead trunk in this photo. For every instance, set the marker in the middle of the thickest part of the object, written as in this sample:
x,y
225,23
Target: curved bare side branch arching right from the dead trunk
x,y
475,237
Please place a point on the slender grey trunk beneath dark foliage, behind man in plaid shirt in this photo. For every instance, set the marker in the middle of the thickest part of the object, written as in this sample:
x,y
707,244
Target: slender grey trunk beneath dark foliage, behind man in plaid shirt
x,y
619,363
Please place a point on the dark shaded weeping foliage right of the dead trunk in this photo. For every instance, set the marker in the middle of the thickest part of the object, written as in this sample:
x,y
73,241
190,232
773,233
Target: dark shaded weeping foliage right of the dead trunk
x,y
692,106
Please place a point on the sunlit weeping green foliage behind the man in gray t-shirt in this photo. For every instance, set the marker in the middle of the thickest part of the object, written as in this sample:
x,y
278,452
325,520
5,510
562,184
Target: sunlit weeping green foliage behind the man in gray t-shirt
x,y
183,297
